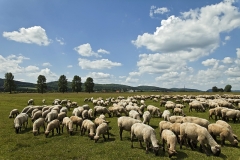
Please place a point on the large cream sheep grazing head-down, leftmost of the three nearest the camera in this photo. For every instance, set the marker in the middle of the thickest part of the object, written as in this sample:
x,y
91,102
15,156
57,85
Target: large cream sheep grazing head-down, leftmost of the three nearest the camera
x,y
147,134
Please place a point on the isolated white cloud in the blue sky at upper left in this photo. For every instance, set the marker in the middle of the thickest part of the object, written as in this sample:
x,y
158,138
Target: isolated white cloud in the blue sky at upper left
x,y
34,34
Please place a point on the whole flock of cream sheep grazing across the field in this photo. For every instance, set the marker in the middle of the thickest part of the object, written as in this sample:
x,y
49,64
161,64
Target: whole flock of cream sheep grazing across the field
x,y
134,116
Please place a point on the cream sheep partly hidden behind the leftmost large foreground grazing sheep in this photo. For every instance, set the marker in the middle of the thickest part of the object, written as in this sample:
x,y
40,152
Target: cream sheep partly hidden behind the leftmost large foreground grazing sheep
x,y
125,123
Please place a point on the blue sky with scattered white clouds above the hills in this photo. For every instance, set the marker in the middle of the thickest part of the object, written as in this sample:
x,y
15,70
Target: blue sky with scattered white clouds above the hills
x,y
167,43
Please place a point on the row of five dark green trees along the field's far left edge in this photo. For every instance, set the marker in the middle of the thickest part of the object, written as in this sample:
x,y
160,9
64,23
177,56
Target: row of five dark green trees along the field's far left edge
x,y
9,84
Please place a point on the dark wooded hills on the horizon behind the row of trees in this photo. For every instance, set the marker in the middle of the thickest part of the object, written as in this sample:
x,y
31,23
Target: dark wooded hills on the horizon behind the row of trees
x,y
53,86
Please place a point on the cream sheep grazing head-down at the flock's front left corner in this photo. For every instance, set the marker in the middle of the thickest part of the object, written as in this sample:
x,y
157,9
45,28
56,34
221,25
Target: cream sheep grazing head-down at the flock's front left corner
x,y
21,119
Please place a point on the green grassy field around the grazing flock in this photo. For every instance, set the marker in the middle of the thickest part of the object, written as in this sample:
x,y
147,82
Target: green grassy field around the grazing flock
x,y
64,147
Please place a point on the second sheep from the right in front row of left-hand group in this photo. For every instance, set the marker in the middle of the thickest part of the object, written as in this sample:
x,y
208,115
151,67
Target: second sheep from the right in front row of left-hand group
x,y
89,126
